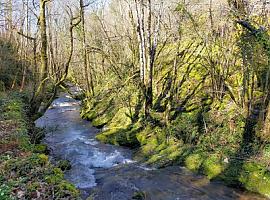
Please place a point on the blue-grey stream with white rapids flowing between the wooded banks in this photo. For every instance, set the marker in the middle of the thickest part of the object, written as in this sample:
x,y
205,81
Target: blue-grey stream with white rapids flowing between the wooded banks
x,y
109,171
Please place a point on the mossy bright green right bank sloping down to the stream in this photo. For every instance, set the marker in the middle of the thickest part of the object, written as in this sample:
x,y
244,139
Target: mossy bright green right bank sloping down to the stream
x,y
219,156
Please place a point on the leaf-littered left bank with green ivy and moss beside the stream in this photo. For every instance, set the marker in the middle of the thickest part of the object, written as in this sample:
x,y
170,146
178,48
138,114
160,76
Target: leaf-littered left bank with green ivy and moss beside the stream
x,y
25,168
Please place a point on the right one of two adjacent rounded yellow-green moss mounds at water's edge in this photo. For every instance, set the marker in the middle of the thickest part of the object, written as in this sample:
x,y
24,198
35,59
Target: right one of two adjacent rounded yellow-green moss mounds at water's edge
x,y
212,166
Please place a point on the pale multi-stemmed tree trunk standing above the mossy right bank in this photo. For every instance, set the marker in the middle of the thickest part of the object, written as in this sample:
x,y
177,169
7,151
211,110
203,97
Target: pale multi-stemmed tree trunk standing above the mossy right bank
x,y
148,42
